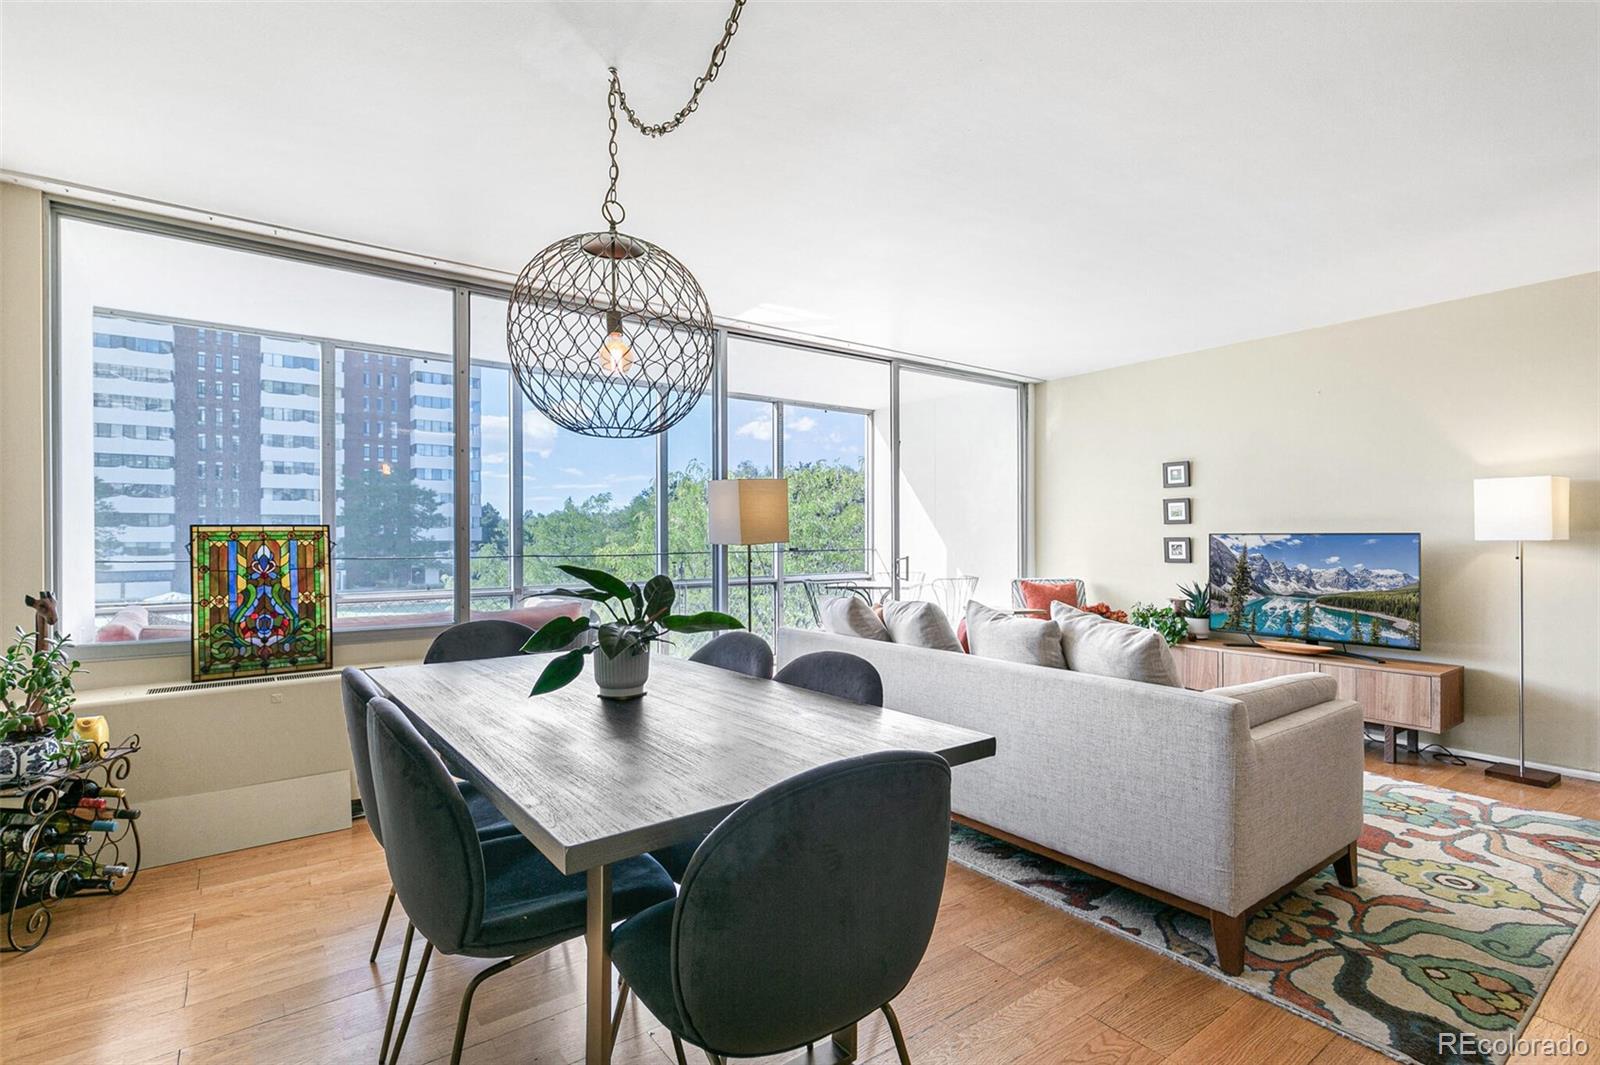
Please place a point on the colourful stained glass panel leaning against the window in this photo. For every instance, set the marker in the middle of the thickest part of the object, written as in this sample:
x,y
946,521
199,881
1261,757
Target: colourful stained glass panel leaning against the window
x,y
260,600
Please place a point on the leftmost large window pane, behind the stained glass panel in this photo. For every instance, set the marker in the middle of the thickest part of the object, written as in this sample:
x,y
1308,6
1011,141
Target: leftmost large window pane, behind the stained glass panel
x,y
212,386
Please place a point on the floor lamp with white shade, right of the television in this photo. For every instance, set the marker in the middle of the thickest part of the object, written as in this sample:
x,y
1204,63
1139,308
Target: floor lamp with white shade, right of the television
x,y
1521,509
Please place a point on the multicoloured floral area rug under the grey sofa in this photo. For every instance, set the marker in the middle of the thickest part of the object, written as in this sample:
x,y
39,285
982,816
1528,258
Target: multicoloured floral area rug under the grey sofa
x,y
1463,912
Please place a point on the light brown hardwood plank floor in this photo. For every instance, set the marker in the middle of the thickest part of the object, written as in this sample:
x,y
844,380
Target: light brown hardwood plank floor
x,y
262,957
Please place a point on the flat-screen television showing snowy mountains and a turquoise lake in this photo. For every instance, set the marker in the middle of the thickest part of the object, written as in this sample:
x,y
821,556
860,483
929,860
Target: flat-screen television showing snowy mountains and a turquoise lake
x,y
1338,588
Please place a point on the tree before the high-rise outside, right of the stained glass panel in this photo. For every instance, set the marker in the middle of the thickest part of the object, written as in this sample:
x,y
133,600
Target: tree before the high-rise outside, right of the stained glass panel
x,y
386,530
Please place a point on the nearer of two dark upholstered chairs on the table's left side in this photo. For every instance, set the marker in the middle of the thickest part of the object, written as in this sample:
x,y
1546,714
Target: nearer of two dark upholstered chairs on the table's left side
x,y
470,896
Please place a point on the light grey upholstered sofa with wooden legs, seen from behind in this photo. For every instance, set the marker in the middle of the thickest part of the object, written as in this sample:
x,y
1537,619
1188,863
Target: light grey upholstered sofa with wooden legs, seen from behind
x,y
1215,802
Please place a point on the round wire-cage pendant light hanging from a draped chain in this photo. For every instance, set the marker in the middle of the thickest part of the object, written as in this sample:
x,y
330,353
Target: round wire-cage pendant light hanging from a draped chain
x,y
610,335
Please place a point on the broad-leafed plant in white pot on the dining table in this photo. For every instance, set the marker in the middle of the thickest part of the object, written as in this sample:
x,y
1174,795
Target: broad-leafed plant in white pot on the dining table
x,y
641,616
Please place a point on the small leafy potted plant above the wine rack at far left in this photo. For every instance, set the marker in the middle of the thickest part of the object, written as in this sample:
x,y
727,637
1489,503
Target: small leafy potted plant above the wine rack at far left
x,y
36,706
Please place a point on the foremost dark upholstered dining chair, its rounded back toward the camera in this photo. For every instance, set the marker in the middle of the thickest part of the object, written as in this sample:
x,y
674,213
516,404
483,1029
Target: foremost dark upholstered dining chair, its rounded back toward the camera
x,y
783,931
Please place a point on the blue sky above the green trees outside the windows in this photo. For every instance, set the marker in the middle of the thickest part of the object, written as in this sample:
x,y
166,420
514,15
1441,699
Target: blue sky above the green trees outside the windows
x,y
561,465
